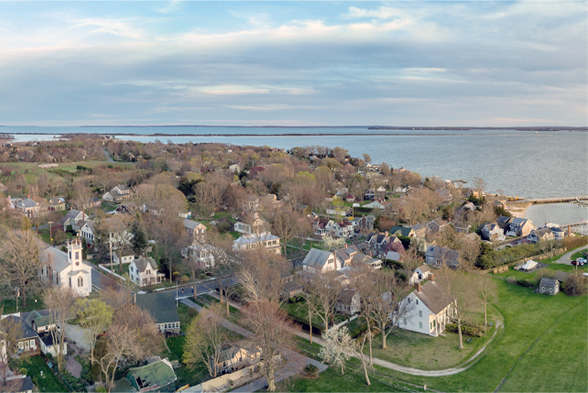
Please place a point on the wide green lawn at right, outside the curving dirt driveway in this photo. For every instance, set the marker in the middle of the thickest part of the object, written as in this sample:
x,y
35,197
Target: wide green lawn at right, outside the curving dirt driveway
x,y
557,361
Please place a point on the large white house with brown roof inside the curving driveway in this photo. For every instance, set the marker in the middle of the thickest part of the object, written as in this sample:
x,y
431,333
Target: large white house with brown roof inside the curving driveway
x,y
431,309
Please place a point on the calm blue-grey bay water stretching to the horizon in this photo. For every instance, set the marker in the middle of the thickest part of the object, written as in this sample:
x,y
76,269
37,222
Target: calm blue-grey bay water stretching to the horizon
x,y
521,163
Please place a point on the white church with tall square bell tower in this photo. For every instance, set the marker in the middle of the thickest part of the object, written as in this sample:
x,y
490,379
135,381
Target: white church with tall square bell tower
x,y
67,270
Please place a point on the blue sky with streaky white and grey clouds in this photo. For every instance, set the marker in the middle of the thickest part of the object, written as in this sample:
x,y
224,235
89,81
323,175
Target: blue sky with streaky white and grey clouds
x,y
401,63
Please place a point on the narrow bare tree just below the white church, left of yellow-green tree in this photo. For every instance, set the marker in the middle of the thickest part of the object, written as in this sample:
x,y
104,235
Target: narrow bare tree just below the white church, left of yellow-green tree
x,y
59,302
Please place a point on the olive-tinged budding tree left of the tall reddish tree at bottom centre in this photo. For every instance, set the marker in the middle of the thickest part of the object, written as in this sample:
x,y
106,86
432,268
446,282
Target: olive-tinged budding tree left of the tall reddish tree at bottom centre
x,y
204,340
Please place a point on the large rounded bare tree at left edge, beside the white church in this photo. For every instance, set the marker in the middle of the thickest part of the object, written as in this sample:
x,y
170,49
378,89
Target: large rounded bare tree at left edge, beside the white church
x,y
20,263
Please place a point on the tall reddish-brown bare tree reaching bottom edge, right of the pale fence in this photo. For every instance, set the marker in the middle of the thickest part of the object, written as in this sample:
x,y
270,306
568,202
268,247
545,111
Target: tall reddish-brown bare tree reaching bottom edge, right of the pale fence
x,y
272,335
